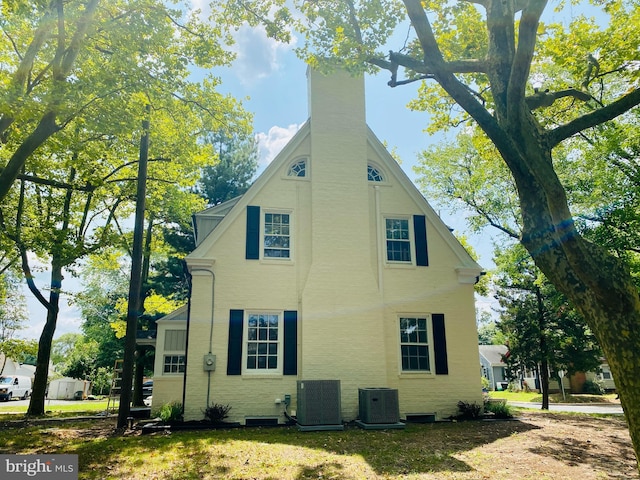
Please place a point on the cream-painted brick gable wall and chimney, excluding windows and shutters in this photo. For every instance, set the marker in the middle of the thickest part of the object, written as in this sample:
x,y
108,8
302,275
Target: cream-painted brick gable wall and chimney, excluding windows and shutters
x,y
347,298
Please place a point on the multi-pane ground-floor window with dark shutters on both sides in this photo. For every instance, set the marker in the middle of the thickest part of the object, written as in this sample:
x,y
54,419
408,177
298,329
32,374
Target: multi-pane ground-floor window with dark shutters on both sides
x,y
263,334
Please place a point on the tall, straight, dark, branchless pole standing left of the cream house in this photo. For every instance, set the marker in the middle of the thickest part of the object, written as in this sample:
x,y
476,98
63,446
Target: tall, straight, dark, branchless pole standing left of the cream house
x,y
135,284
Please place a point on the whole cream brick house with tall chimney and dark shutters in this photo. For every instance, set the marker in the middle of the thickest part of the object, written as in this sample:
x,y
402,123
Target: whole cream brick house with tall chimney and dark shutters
x,y
332,266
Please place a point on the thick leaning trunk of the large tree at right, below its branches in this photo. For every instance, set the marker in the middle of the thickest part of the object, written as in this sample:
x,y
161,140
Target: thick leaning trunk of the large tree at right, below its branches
x,y
597,283
